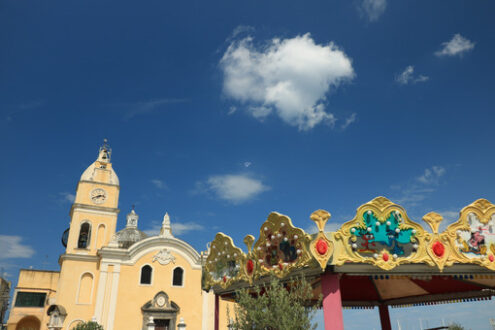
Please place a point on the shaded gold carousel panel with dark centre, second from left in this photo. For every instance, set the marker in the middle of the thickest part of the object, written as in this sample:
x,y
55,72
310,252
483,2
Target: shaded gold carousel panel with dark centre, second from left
x,y
281,247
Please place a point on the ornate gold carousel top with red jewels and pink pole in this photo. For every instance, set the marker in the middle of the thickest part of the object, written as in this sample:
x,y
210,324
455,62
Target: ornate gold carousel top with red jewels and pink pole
x,y
381,258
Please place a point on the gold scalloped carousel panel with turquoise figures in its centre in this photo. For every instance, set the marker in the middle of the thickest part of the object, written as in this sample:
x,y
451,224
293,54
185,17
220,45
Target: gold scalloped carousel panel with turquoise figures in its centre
x,y
381,234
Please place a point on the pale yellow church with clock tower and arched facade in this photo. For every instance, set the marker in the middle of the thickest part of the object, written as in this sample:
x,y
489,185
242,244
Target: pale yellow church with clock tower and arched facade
x,y
121,280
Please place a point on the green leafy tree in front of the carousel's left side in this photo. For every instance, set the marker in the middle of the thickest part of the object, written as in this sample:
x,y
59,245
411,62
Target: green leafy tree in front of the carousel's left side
x,y
275,307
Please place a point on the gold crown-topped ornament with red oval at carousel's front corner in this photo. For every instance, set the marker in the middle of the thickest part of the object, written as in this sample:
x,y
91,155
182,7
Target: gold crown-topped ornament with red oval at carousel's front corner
x,y
321,247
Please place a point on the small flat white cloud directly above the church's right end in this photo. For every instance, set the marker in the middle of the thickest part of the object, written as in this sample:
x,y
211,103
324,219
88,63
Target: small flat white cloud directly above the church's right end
x,y
235,188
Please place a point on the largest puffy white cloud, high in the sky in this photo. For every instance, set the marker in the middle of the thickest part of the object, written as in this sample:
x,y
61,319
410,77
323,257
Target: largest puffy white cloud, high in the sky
x,y
289,77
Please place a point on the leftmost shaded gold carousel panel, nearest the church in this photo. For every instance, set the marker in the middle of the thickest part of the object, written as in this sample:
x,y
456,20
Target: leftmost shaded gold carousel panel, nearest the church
x,y
224,263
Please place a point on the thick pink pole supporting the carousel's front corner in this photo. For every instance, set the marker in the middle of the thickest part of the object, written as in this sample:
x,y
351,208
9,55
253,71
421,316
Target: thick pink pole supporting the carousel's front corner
x,y
332,302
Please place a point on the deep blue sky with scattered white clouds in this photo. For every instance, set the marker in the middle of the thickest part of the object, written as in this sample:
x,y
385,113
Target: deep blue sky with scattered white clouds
x,y
220,112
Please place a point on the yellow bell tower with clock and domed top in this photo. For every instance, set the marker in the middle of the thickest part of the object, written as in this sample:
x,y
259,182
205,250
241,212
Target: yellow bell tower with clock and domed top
x,y
95,209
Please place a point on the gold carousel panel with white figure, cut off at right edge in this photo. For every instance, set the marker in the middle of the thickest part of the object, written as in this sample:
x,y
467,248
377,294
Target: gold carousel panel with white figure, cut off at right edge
x,y
473,235
